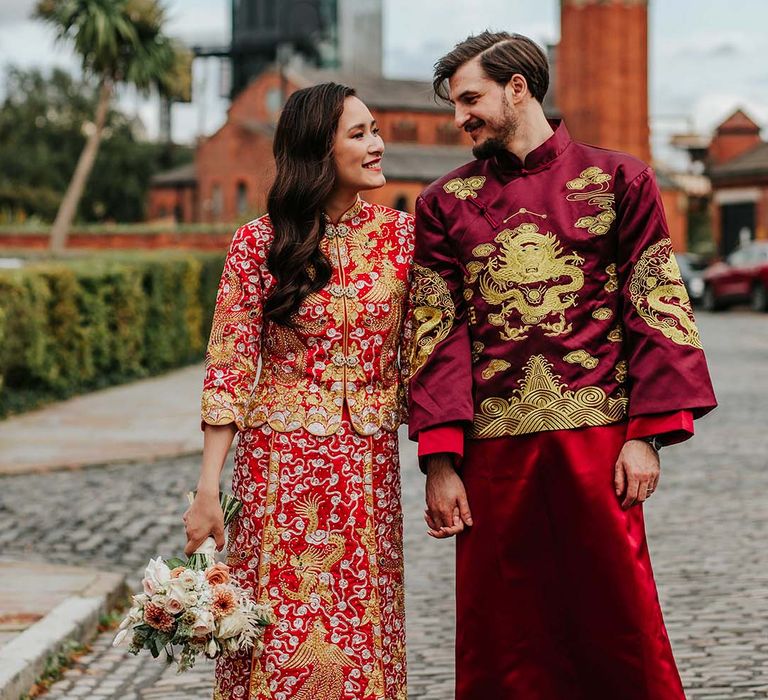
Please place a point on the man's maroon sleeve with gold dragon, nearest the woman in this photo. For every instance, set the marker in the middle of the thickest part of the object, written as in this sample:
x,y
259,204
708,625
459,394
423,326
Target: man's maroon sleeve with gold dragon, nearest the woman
x,y
439,356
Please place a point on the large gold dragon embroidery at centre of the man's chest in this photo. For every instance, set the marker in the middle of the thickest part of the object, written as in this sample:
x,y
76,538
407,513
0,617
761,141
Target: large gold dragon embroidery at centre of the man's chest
x,y
531,280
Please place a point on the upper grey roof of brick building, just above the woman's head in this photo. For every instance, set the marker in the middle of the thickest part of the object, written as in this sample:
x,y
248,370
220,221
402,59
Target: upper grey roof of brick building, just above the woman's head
x,y
375,91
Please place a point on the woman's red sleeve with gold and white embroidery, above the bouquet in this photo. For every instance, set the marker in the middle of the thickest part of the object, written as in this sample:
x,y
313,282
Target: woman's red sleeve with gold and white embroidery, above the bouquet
x,y
233,349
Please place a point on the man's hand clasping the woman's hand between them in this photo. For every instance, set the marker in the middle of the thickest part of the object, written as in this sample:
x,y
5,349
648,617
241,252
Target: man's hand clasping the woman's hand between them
x,y
447,510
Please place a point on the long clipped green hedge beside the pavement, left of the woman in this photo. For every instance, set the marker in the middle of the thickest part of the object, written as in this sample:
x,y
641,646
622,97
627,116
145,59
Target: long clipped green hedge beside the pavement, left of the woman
x,y
69,327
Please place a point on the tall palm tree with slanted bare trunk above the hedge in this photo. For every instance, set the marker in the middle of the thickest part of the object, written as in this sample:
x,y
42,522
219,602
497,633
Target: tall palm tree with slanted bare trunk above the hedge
x,y
119,41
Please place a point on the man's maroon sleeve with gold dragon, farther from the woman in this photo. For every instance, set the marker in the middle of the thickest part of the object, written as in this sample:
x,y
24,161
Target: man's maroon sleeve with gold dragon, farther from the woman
x,y
667,370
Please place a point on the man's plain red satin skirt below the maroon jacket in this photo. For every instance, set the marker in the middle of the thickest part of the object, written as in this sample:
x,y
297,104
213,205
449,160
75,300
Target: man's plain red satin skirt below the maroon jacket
x,y
555,593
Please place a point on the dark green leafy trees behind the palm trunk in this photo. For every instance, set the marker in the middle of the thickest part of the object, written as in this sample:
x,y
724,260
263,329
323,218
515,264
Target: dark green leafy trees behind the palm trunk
x,y
41,137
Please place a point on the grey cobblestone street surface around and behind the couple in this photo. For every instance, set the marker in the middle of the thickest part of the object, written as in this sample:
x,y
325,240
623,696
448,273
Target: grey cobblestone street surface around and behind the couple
x,y
708,527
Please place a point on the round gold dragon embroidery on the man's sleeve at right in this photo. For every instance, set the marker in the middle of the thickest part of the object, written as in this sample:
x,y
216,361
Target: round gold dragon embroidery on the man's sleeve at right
x,y
658,294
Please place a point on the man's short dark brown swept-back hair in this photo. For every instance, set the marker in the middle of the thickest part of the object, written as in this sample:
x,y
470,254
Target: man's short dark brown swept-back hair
x,y
502,55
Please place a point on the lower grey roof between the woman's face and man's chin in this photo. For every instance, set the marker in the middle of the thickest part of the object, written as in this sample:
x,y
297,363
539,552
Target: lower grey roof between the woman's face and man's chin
x,y
410,161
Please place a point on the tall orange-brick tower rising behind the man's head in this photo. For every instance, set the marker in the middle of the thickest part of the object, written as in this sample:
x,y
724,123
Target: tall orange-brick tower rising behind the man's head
x,y
602,82
